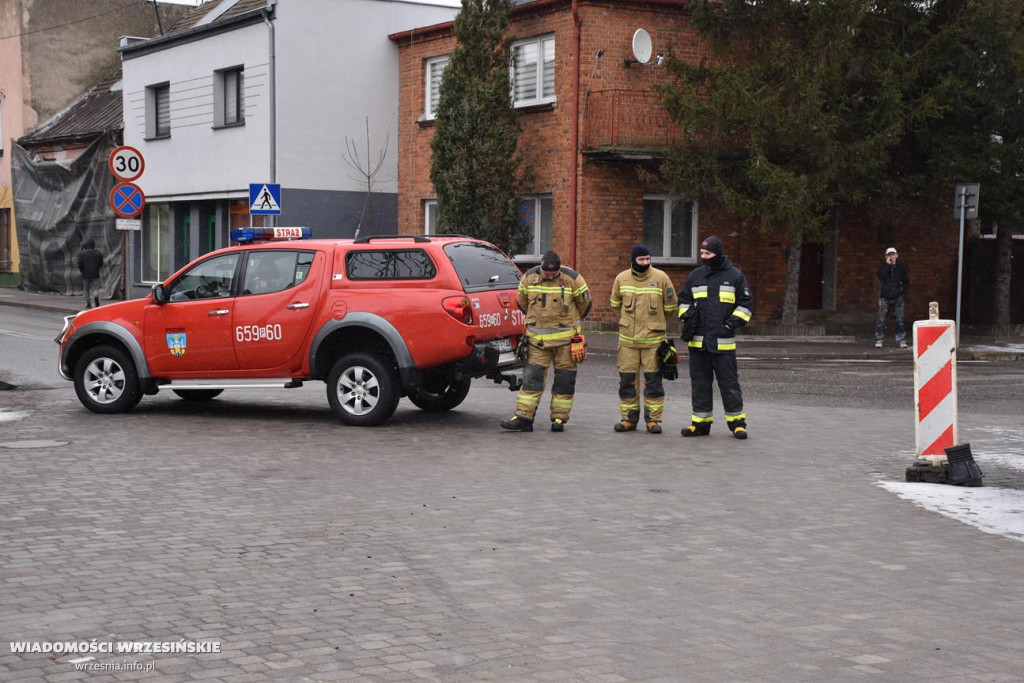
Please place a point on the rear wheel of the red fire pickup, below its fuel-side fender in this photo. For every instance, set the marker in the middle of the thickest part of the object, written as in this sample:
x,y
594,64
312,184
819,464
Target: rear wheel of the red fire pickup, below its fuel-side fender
x,y
363,390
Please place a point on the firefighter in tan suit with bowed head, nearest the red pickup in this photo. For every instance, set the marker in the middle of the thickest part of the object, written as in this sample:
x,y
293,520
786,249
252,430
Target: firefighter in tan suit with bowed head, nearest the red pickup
x,y
556,301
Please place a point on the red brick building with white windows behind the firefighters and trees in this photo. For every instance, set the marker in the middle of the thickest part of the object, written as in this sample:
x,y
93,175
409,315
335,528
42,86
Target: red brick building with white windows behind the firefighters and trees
x,y
592,125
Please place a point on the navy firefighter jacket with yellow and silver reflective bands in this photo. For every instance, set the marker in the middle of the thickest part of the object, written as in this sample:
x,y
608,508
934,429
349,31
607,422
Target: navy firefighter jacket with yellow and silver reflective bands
x,y
721,293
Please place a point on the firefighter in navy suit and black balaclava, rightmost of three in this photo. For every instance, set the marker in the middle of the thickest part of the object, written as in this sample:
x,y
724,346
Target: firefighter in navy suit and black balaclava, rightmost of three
x,y
722,297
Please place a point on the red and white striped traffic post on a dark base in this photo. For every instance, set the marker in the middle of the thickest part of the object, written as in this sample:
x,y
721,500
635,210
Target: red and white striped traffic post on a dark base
x,y
935,388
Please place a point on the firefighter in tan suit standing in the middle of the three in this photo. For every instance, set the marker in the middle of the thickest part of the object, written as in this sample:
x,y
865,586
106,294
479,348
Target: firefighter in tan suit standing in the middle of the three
x,y
645,300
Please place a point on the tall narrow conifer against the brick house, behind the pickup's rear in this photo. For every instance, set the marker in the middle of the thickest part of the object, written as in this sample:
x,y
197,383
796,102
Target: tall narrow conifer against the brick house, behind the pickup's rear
x,y
477,166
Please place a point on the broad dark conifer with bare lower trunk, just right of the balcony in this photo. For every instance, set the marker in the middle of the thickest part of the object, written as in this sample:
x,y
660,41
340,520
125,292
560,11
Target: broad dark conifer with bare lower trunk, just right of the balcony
x,y
793,115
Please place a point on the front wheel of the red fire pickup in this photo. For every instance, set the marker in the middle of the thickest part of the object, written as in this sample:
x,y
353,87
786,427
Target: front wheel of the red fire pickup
x,y
106,380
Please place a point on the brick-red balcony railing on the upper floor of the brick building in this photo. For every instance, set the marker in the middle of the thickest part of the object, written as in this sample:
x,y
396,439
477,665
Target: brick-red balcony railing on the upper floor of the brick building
x,y
628,125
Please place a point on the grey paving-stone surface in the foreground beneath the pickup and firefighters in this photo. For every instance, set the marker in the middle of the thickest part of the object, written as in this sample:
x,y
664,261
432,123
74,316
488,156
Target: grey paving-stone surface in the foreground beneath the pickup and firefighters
x,y
441,548
